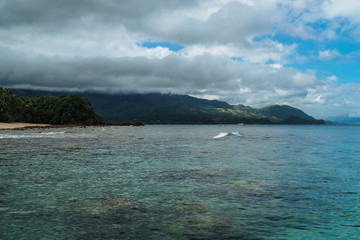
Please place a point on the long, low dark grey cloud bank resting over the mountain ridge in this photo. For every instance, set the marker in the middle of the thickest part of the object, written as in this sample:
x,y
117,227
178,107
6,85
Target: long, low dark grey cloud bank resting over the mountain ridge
x,y
169,74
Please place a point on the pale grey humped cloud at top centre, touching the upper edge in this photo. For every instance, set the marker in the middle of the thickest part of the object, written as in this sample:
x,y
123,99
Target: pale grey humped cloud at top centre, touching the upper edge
x,y
233,22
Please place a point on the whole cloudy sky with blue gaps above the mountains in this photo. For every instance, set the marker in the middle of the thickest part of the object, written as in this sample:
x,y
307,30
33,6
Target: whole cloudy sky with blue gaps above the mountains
x,y
303,53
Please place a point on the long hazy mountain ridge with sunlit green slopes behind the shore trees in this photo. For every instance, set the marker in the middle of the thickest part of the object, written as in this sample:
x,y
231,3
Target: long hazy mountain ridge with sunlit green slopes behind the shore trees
x,y
156,108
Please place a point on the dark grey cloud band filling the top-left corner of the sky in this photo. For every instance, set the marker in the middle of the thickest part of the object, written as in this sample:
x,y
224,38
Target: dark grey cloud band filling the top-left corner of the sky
x,y
40,13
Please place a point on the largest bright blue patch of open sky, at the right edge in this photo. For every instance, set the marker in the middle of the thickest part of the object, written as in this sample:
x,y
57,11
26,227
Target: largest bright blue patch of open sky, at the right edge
x,y
339,56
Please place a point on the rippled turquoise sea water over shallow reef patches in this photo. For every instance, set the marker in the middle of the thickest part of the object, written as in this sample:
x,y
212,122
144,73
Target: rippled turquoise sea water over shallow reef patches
x,y
178,182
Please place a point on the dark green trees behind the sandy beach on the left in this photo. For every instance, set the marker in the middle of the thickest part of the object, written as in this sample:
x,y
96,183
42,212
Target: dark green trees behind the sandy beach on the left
x,y
72,109
